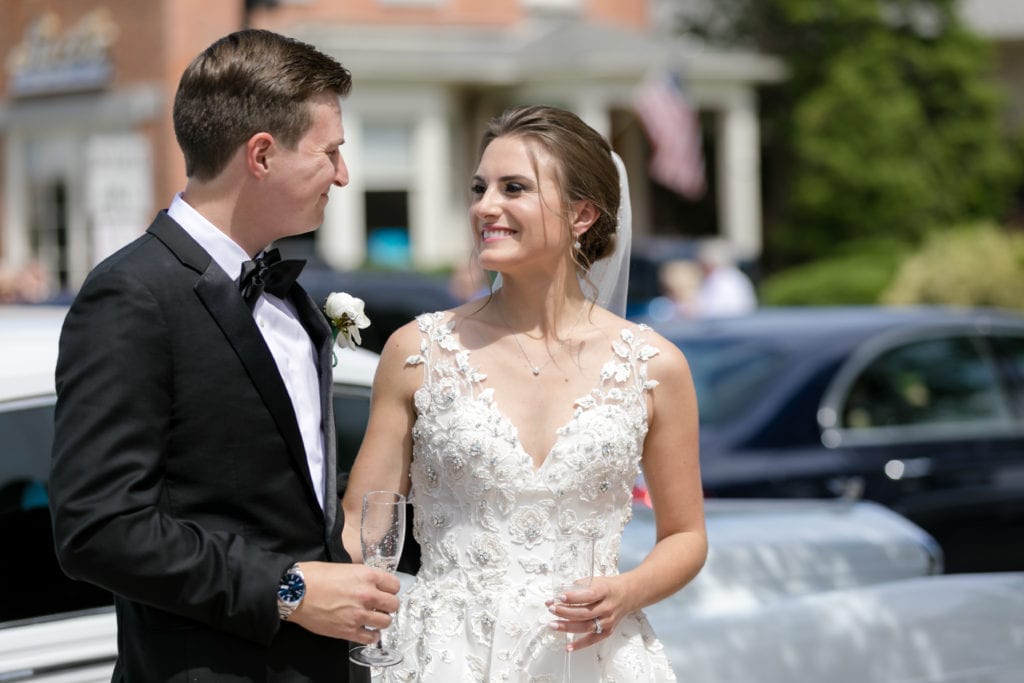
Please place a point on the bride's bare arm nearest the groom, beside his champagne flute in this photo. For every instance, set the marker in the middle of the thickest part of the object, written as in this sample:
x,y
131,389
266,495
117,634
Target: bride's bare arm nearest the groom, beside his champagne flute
x,y
382,463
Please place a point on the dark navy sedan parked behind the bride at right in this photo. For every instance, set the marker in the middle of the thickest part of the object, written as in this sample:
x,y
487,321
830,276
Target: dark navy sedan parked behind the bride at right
x,y
921,409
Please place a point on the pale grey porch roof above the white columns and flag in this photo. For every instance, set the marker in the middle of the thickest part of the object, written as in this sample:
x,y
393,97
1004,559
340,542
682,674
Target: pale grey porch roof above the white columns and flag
x,y
537,50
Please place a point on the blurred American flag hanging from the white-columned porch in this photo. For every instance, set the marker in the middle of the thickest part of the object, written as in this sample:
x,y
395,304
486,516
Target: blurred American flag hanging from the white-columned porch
x,y
674,131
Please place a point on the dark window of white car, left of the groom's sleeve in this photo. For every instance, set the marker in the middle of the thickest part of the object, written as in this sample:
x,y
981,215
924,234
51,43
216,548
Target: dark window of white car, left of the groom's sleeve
x,y
26,535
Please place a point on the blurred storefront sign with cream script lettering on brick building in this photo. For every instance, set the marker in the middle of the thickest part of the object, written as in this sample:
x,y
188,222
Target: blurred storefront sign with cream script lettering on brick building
x,y
51,61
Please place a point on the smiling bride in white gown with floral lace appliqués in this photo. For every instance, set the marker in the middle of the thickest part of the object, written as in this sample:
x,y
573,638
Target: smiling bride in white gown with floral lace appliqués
x,y
517,417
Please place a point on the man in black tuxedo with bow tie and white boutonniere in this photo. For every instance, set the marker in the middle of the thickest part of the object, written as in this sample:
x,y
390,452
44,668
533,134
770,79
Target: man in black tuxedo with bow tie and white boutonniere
x,y
194,465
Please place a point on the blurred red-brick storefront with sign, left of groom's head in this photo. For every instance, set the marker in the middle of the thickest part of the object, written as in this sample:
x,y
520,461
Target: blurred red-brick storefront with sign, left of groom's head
x,y
87,143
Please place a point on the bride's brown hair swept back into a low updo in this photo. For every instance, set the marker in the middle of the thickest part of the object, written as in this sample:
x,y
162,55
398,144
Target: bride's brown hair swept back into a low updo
x,y
584,168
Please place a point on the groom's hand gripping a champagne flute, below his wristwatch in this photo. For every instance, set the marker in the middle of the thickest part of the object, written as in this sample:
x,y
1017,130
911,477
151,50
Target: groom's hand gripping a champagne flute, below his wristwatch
x,y
343,601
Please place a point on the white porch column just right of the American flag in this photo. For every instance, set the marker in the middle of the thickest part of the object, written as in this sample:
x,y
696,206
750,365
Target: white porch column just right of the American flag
x,y
739,173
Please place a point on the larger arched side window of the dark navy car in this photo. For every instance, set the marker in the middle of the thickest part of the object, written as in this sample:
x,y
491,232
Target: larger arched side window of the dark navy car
x,y
932,381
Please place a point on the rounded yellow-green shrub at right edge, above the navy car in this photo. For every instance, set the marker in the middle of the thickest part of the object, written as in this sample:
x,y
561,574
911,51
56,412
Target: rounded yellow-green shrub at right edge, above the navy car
x,y
977,266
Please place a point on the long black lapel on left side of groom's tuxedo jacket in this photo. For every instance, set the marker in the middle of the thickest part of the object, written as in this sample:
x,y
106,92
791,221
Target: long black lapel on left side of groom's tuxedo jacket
x,y
221,296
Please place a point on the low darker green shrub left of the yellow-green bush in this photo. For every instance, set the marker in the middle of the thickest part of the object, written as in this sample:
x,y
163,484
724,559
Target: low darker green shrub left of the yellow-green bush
x,y
856,275
